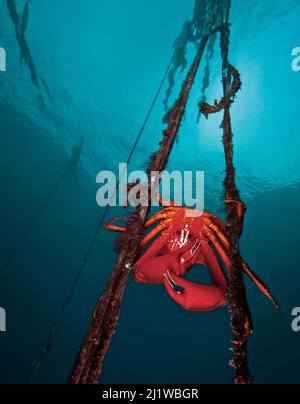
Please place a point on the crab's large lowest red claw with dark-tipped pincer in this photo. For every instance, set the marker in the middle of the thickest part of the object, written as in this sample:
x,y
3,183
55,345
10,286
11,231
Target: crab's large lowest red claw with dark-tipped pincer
x,y
194,297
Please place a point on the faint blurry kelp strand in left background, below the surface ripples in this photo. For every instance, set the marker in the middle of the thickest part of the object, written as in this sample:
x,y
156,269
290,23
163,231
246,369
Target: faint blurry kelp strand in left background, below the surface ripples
x,y
74,159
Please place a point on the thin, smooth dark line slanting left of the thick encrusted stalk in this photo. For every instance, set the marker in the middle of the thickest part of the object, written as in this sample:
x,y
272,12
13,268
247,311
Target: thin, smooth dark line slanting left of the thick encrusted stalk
x,y
47,346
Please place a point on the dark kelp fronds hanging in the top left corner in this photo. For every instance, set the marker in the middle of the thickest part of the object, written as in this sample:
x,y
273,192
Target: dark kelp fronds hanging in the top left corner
x,y
20,23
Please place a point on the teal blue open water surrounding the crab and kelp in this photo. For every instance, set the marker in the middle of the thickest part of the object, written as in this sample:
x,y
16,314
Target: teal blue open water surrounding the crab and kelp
x,y
74,108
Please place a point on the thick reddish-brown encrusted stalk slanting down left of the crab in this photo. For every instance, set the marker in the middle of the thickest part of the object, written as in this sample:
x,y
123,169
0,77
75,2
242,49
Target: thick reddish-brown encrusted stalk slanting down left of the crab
x,y
89,363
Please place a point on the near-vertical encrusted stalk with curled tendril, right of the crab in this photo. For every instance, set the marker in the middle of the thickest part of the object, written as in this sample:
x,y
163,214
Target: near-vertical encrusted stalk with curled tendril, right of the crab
x,y
241,321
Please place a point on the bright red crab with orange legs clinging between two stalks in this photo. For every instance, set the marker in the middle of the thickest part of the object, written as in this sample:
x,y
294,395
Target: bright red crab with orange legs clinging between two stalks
x,y
187,237
